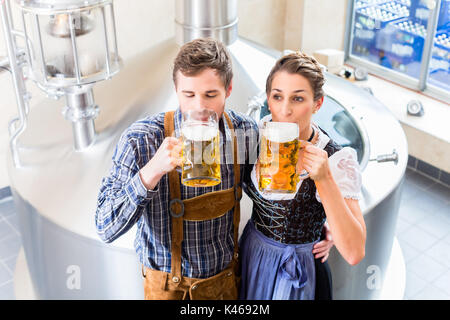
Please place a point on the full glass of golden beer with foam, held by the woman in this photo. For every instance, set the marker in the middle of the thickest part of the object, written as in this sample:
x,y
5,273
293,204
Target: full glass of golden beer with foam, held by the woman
x,y
278,157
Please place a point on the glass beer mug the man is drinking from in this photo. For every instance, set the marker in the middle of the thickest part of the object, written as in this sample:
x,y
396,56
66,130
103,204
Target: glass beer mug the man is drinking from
x,y
200,149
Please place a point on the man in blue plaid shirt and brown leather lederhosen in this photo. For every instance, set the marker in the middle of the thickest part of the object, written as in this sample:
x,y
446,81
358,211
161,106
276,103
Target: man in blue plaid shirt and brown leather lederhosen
x,y
192,256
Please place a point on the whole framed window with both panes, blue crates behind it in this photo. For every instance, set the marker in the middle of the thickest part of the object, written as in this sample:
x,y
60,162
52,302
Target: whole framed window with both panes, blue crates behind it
x,y
407,41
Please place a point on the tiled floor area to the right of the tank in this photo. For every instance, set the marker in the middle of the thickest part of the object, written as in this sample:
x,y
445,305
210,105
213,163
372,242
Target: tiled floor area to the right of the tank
x,y
423,231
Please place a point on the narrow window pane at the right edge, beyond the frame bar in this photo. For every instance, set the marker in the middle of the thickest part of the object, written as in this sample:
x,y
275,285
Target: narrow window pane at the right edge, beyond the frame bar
x,y
439,71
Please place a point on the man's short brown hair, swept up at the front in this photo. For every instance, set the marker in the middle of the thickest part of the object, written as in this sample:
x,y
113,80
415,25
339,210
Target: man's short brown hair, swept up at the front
x,y
200,54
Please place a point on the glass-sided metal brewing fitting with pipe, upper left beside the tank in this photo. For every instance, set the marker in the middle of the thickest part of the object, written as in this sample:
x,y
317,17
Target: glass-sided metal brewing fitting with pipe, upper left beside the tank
x,y
69,46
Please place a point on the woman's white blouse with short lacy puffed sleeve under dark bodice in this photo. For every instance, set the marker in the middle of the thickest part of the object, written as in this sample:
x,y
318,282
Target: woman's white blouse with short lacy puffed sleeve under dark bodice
x,y
343,165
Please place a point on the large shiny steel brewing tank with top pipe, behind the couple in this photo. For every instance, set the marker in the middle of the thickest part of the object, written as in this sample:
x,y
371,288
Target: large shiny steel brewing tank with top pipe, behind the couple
x,y
55,190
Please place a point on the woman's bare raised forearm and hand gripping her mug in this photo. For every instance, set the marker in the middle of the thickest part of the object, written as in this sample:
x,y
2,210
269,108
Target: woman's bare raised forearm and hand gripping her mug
x,y
344,216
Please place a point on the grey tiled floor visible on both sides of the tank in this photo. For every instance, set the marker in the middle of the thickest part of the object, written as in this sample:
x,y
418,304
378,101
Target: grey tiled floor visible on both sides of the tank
x,y
423,231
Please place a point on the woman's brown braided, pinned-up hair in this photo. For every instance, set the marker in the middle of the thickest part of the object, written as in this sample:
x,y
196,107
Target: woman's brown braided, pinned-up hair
x,y
302,64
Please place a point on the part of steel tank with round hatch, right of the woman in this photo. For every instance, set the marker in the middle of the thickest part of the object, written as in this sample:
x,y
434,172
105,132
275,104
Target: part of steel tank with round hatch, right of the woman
x,y
353,117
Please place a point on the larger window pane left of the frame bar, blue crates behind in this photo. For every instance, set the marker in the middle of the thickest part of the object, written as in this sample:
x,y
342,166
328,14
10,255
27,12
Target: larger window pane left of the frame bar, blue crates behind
x,y
391,33
